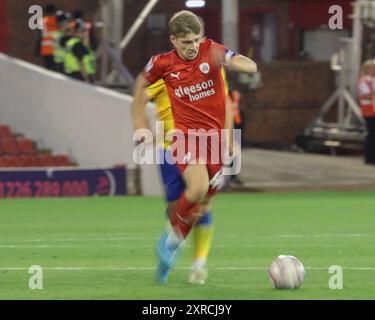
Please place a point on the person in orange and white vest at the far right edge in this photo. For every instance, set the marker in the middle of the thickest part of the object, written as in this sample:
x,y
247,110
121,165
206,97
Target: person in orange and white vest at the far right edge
x,y
366,96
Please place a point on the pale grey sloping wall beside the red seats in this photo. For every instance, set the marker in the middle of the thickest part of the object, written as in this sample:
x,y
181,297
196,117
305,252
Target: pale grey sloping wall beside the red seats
x,y
91,124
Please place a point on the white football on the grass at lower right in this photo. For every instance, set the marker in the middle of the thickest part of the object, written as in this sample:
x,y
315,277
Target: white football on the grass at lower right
x,y
286,272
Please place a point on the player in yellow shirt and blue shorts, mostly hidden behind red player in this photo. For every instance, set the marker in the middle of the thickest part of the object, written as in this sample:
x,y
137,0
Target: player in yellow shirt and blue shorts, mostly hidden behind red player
x,y
174,185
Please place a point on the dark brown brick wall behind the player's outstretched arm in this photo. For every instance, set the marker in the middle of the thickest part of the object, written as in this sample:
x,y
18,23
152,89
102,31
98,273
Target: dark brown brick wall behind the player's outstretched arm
x,y
291,95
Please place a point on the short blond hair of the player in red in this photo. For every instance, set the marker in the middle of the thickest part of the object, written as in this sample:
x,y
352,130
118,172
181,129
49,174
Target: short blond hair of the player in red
x,y
185,22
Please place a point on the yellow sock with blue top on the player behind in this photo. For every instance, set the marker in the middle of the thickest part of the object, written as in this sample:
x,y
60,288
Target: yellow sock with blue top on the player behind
x,y
202,237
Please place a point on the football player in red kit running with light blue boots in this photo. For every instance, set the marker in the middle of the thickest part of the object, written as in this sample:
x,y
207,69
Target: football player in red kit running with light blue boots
x,y
192,75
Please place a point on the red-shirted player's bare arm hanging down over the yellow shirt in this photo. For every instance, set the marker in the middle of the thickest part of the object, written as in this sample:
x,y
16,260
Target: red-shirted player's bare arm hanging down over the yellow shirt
x,y
140,120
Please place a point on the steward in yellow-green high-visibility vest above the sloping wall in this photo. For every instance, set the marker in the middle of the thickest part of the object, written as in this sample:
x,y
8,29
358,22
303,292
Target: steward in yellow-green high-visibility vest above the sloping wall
x,y
79,62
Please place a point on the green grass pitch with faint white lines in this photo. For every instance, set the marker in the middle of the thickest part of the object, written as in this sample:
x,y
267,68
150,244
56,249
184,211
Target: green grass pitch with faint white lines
x,y
103,248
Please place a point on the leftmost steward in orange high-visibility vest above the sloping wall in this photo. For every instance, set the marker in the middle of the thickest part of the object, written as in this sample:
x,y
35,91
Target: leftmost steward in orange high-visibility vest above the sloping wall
x,y
45,43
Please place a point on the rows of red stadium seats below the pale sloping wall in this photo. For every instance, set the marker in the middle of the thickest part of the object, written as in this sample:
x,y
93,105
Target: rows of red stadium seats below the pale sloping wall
x,y
17,151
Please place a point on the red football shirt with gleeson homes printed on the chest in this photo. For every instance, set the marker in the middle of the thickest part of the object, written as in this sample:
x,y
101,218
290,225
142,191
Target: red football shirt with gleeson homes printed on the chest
x,y
195,87
